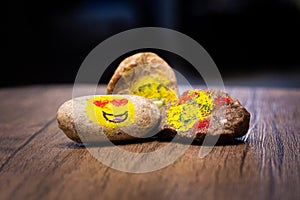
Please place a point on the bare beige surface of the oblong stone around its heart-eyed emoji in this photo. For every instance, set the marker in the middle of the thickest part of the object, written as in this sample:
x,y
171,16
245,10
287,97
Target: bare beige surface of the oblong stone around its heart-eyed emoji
x,y
73,120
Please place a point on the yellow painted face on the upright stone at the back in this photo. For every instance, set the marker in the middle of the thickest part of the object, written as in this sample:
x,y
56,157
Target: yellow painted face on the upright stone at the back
x,y
154,88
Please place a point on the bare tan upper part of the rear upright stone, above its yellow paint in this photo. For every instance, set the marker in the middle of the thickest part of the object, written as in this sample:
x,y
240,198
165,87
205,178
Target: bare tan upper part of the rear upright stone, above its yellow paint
x,y
135,68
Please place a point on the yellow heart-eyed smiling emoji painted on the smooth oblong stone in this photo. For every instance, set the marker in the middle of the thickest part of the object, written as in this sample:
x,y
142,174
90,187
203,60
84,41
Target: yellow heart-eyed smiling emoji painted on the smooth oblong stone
x,y
110,111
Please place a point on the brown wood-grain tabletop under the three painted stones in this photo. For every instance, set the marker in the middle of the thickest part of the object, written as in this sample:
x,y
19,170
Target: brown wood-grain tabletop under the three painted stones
x,y
37,161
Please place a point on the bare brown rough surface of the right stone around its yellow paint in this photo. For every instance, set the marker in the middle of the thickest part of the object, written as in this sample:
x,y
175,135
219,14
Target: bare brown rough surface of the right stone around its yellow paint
x,y
227,121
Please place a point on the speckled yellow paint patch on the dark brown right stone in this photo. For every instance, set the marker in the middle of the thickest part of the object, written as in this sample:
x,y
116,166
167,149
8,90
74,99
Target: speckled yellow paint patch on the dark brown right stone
x,y
193,106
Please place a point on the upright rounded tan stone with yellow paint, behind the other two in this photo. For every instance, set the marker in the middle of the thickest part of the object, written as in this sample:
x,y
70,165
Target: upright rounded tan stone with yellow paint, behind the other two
x,y
147,75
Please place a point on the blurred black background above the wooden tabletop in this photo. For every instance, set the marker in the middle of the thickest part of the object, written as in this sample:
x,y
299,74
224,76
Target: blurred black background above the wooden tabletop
x,y
253,42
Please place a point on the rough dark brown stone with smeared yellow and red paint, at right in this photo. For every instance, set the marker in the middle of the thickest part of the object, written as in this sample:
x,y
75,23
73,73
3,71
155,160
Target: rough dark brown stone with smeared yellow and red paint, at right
x,y
200,113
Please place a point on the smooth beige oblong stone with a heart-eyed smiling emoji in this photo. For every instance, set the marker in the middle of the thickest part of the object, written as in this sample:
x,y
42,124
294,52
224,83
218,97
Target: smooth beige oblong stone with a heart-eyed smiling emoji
x,y
117,117
